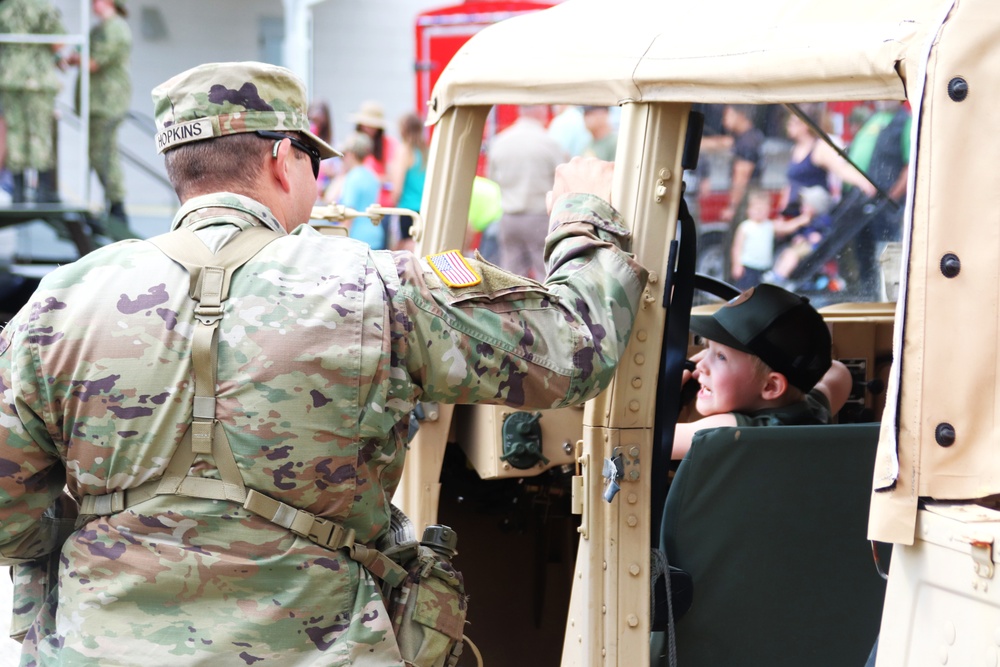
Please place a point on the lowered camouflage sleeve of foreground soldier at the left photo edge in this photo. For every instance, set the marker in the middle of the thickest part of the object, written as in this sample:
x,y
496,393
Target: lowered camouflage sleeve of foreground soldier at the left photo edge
x,y
31,475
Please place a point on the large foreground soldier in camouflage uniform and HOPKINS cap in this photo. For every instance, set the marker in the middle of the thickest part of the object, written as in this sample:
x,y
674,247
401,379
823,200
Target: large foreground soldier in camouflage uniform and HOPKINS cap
x,y
324,348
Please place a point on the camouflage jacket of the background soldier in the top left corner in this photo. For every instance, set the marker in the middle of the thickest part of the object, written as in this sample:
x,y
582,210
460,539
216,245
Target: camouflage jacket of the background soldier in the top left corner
x,y
29,66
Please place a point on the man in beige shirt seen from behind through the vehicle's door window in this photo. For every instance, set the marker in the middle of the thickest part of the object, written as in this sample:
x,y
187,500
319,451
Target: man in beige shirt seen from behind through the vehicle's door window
x,y
522,159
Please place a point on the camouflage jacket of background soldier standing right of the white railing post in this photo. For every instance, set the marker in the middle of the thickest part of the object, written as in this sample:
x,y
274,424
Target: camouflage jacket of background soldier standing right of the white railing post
x,y
110,84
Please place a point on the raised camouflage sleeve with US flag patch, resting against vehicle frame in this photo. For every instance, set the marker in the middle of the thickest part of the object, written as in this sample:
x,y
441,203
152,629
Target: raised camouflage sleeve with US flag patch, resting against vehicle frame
x,y
514,341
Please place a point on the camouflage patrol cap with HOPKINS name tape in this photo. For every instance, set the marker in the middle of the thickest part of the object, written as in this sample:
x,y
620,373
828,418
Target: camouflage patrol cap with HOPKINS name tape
x,y
217,99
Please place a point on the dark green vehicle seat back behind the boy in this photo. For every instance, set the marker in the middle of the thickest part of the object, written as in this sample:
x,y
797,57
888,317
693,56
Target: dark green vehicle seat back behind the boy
x,y
771,523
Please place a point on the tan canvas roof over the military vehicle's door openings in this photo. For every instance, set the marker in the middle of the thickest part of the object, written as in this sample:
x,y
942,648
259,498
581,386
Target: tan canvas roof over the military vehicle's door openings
x,y
766,51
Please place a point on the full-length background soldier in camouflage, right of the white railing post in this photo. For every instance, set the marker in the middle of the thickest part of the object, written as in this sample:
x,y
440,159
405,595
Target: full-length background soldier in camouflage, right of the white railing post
x,y
110,95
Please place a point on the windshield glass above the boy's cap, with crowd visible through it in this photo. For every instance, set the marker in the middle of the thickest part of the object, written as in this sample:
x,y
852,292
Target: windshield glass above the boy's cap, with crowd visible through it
x,y
777,201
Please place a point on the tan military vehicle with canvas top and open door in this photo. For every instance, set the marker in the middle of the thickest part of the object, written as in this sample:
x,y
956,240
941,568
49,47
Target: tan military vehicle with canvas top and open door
x,y
557,511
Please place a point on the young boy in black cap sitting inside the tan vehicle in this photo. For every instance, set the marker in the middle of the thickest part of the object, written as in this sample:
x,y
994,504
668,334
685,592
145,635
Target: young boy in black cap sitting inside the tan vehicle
x,y
767,363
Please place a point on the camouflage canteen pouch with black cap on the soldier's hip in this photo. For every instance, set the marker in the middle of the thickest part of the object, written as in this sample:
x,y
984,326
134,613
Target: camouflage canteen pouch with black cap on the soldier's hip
x,y
428,611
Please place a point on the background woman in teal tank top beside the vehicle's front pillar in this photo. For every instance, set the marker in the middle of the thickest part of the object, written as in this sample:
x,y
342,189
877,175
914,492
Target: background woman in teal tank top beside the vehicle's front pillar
x,y
406,175
